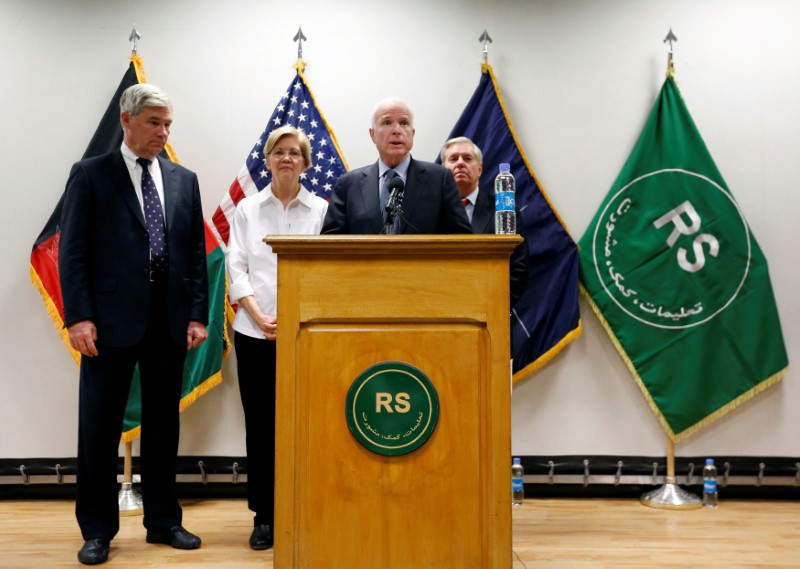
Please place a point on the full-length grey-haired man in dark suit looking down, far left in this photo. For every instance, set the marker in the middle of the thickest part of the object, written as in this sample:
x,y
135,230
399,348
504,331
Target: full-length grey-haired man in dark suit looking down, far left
x,y
134,281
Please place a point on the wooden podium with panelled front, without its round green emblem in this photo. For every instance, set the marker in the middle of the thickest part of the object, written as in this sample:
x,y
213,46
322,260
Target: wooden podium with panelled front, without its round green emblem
x,y
441,304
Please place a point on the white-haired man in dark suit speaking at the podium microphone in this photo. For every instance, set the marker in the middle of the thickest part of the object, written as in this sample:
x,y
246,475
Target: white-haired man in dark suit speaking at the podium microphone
x,y
430,203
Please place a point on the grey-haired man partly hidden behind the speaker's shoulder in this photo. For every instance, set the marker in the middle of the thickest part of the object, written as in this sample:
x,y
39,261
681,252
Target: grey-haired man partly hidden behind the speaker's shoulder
x,y
465,160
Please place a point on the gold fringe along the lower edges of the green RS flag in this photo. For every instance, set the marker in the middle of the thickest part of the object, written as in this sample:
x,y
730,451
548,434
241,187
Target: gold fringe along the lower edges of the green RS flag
x,y
708,419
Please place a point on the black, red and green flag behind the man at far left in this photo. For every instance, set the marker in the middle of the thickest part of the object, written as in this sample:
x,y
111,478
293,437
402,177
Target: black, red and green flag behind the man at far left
x,y
203,368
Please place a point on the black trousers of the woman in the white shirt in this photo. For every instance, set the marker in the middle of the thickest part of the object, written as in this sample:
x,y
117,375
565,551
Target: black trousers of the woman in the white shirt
x,y
256,368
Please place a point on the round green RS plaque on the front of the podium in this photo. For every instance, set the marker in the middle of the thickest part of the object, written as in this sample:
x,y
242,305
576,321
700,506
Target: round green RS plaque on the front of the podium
x,y
392,408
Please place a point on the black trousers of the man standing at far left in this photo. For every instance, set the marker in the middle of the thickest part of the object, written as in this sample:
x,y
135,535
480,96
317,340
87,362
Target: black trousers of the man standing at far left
x,y
104,386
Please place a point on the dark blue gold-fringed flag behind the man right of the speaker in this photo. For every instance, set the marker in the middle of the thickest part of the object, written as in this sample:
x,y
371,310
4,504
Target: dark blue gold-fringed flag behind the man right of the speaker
x,y
546,318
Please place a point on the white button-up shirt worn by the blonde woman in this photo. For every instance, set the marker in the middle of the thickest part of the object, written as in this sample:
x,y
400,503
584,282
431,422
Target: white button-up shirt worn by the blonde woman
x,y
251,264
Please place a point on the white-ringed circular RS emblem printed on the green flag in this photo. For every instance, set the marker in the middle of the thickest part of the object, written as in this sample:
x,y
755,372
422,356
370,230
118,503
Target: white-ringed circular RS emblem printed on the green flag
x,y
672,249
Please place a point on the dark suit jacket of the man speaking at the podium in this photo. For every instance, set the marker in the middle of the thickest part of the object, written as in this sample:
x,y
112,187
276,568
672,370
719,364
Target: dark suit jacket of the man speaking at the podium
x,y
430,202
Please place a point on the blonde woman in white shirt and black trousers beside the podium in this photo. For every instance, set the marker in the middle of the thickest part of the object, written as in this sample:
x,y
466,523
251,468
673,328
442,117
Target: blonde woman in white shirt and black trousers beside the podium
x,y
283,207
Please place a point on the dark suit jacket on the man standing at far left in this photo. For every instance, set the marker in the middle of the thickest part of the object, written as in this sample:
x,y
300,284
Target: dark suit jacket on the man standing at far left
x,y
104,252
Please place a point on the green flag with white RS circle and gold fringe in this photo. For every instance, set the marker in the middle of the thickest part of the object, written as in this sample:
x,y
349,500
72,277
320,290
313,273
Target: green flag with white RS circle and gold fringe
x,y
677,279
